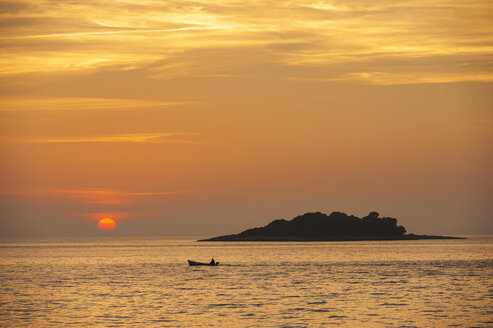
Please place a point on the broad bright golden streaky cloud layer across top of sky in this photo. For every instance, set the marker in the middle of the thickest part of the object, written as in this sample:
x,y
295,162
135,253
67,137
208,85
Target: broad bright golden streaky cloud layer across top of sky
x,y
38,38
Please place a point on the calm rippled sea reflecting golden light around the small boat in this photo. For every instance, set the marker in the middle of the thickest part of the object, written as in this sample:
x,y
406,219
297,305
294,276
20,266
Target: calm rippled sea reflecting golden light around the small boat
x,y
148,283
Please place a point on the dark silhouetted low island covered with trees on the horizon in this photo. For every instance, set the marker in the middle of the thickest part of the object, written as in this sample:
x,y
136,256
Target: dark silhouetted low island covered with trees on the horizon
x,y
334,227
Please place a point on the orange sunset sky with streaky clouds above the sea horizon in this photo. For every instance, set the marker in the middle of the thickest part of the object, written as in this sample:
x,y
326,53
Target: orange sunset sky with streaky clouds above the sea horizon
x,y
203,118
